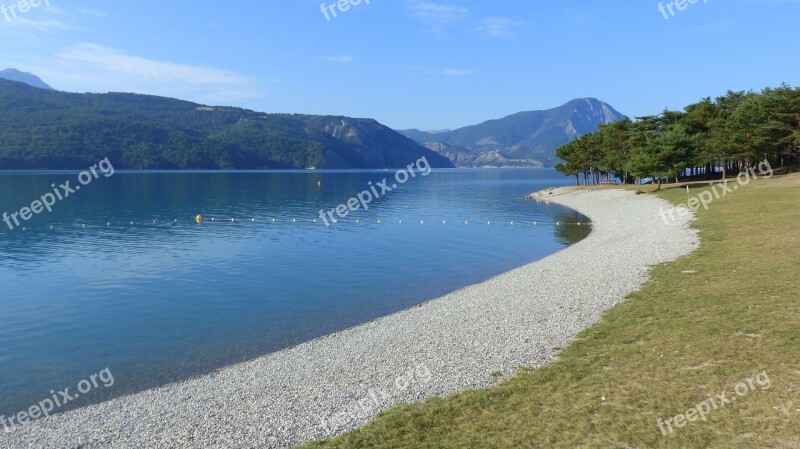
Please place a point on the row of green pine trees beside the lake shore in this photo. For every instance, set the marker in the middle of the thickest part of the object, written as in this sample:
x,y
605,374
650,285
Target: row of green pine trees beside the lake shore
x,y
708,139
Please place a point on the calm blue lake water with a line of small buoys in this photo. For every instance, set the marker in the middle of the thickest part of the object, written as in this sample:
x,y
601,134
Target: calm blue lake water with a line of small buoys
x,y
159,300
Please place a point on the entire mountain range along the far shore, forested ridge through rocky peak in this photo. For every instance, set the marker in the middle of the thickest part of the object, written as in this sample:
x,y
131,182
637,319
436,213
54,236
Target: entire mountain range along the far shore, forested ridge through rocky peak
x,y
42,128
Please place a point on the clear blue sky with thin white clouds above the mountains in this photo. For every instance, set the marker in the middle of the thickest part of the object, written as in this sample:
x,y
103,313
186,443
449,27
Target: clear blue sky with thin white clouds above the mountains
x,y
409,63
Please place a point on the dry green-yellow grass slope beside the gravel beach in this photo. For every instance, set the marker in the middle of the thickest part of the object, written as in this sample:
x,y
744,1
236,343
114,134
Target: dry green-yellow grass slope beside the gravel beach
x,y
701,325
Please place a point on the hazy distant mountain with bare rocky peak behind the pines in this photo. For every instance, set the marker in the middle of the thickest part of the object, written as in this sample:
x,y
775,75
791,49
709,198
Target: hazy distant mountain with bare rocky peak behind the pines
x,y
522,139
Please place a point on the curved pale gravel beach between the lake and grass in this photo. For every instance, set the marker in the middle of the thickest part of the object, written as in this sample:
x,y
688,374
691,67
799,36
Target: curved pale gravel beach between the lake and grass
x,y
470,338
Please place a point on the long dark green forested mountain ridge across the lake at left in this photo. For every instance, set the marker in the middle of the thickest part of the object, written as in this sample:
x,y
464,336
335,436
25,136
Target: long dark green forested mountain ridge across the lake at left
x,y
58,130
